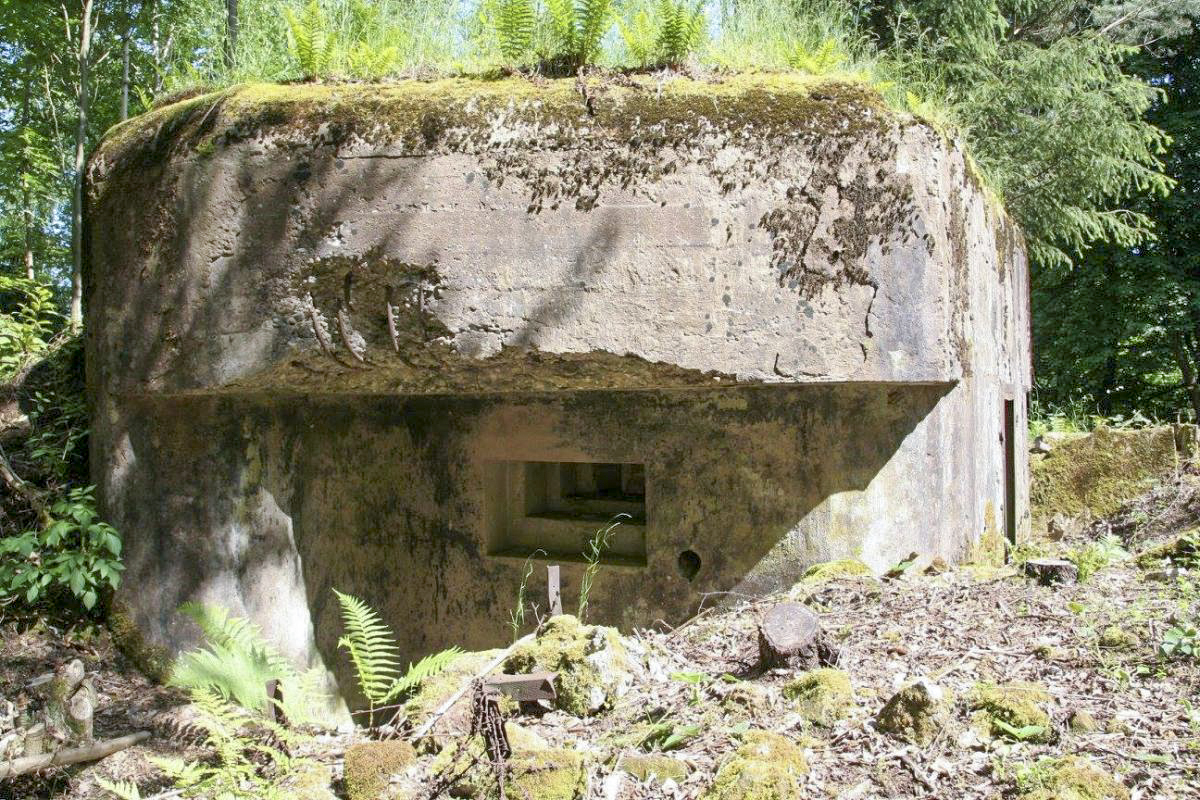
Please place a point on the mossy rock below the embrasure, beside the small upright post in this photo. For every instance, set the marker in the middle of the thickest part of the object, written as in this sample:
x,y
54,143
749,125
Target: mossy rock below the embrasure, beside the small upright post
x,y
591,661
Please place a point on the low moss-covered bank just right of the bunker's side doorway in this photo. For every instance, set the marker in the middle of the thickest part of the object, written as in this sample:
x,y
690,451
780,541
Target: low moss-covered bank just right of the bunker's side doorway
x,y
1097,473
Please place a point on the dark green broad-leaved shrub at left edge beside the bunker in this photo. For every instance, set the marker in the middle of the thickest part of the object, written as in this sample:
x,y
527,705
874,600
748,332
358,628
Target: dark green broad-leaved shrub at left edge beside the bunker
x,y
73,552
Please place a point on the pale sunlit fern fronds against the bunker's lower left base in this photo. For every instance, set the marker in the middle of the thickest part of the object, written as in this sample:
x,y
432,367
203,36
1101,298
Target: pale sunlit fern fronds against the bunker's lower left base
x,y
236,664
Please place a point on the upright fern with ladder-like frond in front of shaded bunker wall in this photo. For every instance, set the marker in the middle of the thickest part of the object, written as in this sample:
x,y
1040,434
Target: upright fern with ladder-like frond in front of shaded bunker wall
x,y
376,657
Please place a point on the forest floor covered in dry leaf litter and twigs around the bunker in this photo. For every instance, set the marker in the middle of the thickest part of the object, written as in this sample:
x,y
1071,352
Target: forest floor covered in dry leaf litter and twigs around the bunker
x,y
693,696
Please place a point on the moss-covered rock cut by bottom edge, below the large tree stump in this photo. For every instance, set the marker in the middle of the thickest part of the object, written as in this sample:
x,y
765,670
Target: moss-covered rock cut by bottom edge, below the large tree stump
x,y
766,767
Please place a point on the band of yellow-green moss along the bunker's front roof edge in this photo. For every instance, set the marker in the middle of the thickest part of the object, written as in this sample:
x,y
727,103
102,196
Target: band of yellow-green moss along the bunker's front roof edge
x,y
421,115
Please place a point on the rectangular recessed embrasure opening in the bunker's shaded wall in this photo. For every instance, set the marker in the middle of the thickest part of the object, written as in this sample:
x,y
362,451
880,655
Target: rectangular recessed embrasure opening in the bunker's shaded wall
x,y
553,510
